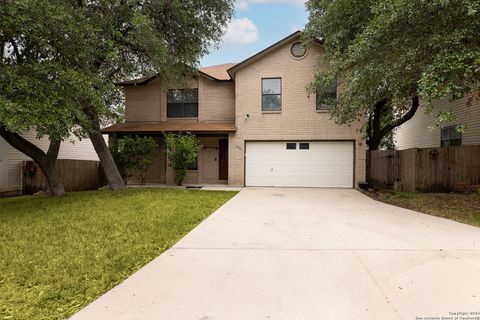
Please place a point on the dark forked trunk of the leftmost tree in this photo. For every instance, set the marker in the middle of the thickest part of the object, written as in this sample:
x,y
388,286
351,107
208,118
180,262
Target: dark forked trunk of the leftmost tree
x,y
46,161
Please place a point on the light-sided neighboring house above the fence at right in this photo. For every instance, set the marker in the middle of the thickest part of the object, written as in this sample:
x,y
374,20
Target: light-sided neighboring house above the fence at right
x,y
421,132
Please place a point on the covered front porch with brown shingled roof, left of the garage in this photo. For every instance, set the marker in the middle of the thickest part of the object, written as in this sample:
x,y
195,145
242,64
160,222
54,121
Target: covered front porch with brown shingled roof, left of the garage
x,y
211,165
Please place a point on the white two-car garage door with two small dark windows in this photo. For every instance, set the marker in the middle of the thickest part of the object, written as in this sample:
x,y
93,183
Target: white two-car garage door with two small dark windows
x,y
299,164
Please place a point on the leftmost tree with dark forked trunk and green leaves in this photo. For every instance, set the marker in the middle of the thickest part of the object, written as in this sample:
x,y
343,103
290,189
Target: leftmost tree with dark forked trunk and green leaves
x,y
37,91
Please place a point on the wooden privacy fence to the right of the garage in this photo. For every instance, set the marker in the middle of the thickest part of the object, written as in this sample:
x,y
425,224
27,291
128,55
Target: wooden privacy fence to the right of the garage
x,y
429,169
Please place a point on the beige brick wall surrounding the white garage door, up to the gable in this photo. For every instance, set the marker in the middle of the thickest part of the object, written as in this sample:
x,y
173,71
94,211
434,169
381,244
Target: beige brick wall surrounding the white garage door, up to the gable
x,y
298,120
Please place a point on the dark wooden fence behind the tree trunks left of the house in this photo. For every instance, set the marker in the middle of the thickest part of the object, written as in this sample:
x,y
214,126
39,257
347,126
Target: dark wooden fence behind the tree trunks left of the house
x,y
77,175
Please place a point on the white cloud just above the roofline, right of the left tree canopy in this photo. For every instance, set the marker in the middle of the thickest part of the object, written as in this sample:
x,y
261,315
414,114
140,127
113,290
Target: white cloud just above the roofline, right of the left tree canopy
x,y
240,32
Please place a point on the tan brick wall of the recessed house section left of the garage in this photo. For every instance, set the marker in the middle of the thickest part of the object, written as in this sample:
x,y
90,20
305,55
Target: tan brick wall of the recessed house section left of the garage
x,y
216,103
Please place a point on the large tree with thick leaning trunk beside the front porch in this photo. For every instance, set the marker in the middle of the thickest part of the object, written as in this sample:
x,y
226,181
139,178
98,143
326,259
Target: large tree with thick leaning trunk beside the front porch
x,y
101,41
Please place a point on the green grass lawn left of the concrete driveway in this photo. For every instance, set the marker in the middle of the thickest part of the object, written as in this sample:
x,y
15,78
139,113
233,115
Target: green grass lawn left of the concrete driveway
x,y
58,254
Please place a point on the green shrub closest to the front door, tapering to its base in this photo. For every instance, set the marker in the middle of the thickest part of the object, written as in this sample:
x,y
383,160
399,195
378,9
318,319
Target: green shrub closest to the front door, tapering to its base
x,y
182,149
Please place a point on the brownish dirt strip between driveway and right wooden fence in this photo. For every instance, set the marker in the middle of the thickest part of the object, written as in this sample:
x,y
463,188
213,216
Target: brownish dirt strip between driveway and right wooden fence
x,y
463,208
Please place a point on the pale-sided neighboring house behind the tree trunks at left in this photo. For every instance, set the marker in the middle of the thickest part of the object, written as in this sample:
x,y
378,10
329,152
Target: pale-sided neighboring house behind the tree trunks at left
x,y
11,175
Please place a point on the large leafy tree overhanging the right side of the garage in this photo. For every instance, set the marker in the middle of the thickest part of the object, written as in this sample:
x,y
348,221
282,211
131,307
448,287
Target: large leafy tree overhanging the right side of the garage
x,y
390,54
